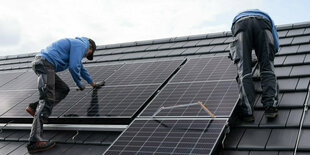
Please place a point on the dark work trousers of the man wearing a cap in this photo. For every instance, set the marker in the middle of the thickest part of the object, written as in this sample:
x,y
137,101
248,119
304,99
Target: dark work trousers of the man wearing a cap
x,y
52,90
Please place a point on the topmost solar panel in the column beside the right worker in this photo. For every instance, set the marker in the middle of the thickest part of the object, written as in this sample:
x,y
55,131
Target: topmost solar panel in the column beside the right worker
x,y
206,69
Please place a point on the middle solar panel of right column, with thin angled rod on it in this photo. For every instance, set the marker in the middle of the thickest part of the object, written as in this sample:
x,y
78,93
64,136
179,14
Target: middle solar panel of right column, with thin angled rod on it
x,y
218,97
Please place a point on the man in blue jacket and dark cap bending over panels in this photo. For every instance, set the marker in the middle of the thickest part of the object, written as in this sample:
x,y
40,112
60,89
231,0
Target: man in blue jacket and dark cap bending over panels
x,y
60,55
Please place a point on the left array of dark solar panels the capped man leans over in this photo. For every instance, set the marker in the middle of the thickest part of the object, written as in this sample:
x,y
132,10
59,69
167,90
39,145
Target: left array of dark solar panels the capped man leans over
x,y
123,97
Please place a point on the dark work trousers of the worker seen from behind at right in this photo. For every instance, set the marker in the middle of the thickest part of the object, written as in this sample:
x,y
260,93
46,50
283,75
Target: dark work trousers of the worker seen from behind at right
x,y
254,32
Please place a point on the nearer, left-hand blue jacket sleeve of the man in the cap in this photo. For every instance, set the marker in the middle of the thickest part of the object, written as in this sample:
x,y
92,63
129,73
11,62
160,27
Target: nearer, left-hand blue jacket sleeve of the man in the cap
x,y
76,55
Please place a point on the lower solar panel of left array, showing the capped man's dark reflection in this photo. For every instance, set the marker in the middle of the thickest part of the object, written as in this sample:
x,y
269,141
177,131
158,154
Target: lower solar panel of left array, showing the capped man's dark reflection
x,y
113,101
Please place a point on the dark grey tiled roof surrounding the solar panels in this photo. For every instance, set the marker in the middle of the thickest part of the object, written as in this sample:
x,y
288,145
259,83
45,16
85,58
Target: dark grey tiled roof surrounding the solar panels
x,y
279,136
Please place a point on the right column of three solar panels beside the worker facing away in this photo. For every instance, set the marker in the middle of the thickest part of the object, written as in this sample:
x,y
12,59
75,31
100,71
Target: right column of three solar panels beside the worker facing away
x,y
182,129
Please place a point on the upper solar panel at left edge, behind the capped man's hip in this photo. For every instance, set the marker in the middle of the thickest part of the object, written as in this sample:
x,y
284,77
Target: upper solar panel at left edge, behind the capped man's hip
x,y
27,80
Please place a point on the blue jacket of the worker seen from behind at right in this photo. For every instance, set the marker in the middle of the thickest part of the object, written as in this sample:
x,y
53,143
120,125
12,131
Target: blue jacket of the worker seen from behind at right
x,y
256,12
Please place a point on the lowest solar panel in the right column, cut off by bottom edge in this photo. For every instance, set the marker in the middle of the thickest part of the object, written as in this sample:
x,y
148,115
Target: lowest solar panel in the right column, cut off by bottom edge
x,y
171,136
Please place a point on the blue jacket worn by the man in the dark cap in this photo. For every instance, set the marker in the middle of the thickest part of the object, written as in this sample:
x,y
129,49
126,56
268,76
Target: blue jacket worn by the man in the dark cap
x,y
68,53
